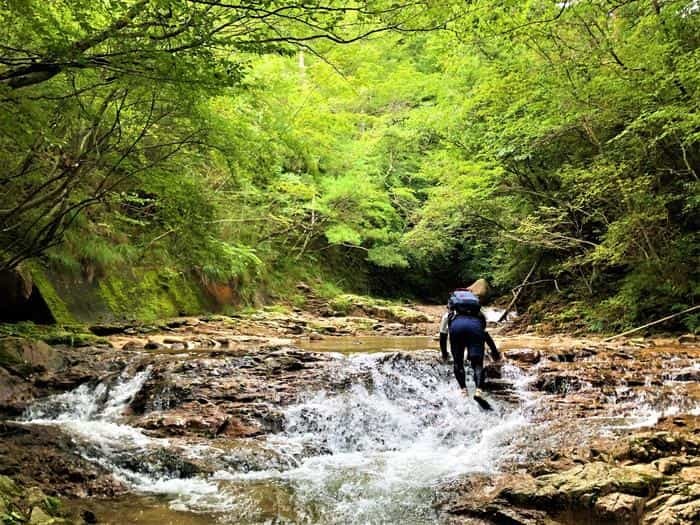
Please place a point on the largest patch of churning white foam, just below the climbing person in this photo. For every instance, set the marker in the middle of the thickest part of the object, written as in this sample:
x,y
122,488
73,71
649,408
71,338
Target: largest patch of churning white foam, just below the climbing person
x,y
385,445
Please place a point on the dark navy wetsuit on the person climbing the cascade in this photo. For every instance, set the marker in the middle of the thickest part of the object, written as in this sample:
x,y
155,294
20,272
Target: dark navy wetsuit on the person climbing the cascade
x,y
469,332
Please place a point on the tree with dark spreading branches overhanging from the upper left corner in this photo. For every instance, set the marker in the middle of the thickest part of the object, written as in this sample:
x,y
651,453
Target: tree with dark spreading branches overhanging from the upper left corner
x,y
96,92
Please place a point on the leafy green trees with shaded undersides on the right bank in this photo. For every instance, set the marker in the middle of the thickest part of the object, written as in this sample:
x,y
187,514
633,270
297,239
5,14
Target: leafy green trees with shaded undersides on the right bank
x,y
587,114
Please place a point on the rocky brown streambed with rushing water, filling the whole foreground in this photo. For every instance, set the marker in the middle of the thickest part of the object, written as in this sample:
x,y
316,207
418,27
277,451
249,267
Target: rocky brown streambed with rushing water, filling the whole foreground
x,y
275,419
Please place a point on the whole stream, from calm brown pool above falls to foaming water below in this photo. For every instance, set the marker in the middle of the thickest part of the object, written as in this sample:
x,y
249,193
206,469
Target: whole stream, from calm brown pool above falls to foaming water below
x,y
380,450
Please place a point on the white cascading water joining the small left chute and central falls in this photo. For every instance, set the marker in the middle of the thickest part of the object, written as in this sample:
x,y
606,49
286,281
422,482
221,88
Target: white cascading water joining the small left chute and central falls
x,y
374,452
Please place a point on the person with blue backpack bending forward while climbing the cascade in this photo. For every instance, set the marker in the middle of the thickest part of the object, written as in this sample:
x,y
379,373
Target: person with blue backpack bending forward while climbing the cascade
x,y
467,331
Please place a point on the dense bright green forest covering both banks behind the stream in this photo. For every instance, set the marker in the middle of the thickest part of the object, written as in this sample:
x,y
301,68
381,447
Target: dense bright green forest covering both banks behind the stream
x,y
381,147
